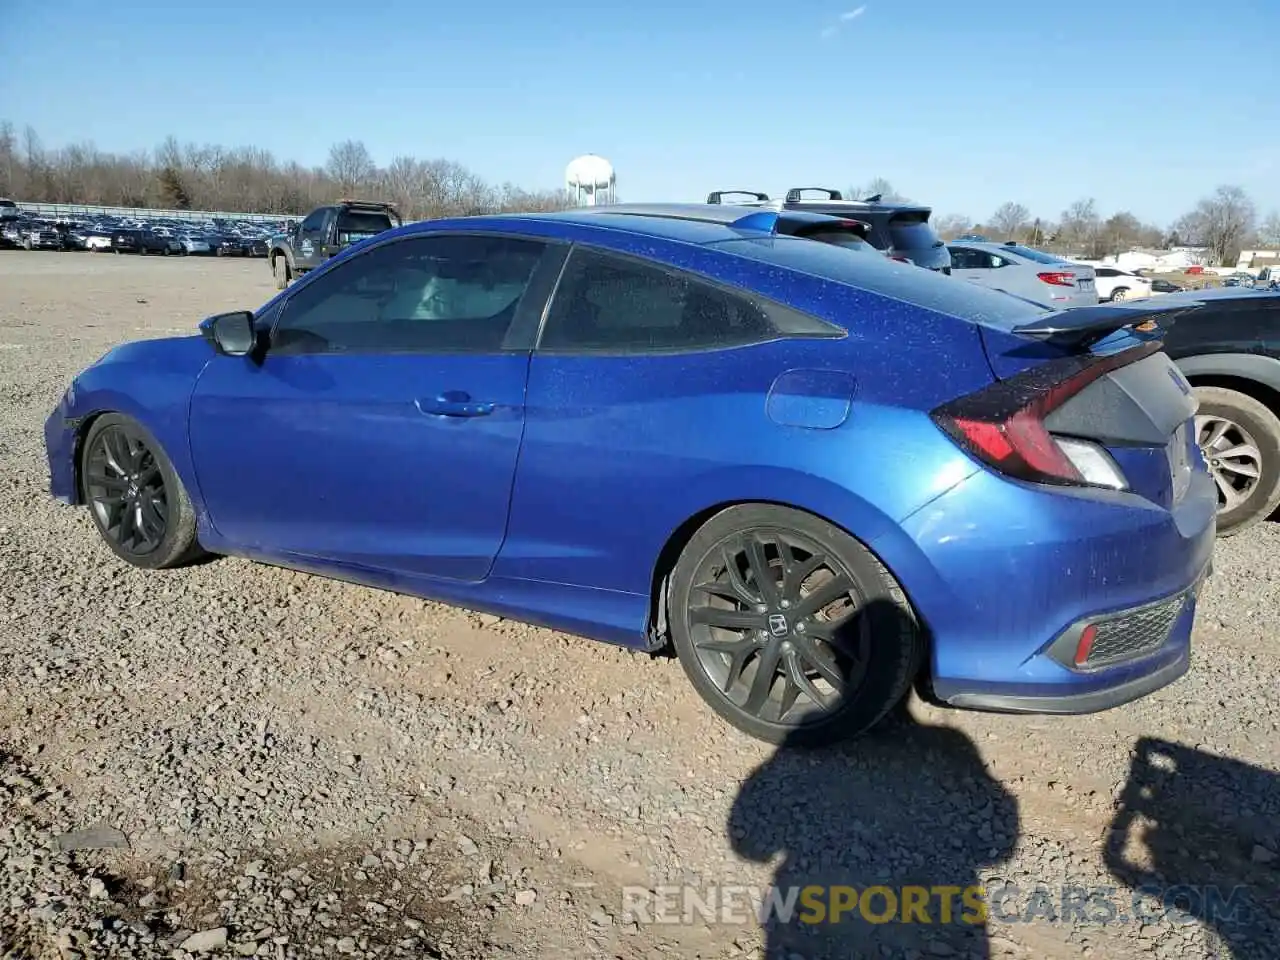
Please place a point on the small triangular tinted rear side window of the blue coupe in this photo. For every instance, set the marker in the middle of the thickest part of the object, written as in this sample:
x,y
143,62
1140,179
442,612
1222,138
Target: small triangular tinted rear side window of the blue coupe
x,y
615,304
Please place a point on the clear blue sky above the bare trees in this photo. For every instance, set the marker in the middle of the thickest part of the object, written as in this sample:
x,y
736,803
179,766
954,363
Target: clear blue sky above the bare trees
x,y
1142,104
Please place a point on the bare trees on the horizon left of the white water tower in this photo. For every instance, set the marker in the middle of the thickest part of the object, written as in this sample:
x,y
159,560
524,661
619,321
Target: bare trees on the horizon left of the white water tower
x,y
249,180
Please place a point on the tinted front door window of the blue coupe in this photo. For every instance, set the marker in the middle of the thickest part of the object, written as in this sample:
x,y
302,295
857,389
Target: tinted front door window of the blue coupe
x,y
423,295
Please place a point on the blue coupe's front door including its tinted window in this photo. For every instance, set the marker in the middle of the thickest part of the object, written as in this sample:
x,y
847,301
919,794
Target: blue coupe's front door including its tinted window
x,y
381,427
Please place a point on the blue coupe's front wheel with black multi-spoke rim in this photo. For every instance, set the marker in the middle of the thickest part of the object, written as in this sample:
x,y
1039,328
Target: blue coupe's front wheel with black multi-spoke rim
x,y
122,467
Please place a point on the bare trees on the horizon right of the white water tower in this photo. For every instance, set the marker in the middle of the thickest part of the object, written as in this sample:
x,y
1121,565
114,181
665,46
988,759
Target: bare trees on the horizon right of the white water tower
x,y
1224,223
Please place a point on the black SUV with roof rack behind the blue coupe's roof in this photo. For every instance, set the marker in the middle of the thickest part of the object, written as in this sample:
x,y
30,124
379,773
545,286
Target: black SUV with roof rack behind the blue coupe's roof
x,y
900,231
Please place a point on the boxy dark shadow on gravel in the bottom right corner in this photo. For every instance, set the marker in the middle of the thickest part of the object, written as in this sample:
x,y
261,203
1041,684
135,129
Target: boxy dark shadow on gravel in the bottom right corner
x,y
1197,838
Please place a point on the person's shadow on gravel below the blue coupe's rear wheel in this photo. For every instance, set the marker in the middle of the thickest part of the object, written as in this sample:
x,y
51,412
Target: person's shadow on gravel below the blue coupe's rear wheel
x,y
890,833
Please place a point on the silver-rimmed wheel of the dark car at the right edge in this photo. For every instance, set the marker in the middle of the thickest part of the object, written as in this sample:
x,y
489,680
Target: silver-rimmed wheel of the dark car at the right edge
x,y
1254,429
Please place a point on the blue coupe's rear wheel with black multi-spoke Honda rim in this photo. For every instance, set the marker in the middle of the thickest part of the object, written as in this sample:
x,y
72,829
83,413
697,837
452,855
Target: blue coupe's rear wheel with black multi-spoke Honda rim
x,y
877,647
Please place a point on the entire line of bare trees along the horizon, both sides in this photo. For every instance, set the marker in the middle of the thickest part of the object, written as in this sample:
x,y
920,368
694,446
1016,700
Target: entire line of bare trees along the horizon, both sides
x,y
194,177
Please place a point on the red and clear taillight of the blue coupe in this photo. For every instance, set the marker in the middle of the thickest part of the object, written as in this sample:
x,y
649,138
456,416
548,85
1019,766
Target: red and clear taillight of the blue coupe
x,y
1004,424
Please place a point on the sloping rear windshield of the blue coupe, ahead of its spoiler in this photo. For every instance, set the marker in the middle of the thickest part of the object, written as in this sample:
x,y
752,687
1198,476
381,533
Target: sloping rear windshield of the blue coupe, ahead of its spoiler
x,y
886,278
